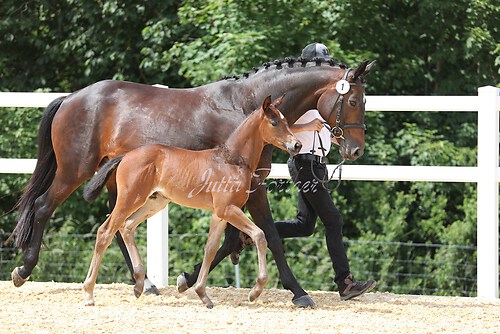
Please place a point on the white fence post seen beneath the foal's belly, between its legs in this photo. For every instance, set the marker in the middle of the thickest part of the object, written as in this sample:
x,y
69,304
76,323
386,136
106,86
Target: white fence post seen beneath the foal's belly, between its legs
x,y
157,248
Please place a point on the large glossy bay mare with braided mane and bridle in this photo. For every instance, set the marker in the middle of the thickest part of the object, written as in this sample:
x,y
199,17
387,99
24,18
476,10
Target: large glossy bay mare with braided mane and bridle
x,y
80,132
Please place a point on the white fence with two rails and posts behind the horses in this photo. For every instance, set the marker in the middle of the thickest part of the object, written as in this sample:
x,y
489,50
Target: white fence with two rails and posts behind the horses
x,y
486,174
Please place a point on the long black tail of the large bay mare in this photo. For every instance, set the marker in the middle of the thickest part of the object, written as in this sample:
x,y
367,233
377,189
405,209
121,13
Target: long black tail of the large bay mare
x,y
40,180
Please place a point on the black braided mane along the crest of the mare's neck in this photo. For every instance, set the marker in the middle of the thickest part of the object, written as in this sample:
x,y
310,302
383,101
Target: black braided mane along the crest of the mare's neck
x,y
288,62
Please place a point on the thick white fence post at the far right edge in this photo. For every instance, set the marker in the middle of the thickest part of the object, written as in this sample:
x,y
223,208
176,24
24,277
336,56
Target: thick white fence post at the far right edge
x,y
487,192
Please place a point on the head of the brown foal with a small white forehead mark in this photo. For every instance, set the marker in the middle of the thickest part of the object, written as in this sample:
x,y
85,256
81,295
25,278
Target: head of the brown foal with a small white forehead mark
x,y
274,127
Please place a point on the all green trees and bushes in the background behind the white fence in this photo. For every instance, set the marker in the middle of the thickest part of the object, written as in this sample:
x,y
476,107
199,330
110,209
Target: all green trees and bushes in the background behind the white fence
x,y
422,48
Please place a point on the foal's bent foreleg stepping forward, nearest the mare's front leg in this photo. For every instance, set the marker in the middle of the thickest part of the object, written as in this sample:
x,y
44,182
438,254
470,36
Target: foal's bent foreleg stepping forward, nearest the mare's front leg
x,y
236,217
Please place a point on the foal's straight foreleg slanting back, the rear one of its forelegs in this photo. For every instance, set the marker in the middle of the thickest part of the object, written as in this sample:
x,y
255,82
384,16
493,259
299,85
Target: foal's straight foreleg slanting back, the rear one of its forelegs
x,y
217,227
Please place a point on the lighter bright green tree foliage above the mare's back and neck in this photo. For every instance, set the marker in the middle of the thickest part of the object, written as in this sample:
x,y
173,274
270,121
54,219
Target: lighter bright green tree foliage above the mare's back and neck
x,y
218,38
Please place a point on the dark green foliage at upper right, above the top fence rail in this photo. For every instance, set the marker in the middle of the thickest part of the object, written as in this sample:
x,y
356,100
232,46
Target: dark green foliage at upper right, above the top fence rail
x,y
425,47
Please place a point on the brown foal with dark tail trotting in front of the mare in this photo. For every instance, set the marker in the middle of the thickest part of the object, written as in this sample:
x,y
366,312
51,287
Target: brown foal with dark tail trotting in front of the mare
x,y
217,179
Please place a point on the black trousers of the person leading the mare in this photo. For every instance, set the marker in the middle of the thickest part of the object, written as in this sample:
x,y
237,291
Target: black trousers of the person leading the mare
x,y
314,200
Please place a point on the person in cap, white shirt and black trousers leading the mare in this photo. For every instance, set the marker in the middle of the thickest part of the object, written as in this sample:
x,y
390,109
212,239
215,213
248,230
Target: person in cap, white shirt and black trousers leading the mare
x,y
314,199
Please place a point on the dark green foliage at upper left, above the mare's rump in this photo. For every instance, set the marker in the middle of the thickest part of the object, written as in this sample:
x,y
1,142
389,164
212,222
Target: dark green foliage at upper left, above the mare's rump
x,y
66,45
